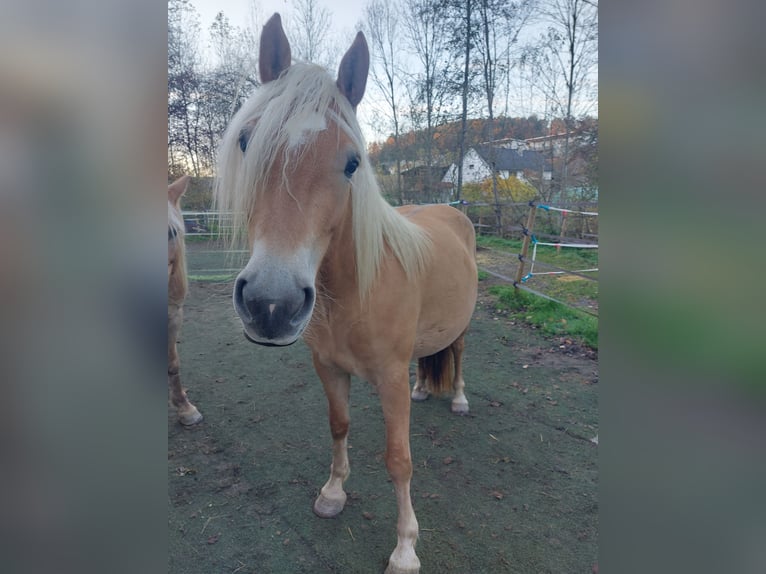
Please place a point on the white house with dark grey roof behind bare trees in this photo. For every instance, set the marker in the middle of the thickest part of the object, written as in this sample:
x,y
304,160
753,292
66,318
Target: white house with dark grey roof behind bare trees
x,y
526,165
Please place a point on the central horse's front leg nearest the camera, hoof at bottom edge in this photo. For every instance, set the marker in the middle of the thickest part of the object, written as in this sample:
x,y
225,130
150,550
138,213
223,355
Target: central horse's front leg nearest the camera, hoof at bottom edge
x,y
394,391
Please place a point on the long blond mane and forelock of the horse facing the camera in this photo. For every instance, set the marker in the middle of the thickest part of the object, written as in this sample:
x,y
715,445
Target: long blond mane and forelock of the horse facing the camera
x,y
274,115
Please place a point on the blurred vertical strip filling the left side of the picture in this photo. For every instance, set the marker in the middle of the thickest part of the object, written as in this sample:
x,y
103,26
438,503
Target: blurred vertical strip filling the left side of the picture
x,y
82,188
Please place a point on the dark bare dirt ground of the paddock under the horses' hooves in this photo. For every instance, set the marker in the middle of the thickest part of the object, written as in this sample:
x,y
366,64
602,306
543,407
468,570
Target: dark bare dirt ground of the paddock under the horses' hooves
x,y
512,487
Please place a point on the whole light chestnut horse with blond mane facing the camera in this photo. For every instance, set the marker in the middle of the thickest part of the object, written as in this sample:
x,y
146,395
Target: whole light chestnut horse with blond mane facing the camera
x,y
368,286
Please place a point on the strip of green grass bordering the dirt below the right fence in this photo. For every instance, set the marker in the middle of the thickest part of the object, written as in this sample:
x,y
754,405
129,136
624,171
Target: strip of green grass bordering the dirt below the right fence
x,y
551,318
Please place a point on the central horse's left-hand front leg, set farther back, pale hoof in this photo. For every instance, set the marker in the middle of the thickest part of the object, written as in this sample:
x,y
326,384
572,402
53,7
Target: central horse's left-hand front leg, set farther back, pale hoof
x,y
332,498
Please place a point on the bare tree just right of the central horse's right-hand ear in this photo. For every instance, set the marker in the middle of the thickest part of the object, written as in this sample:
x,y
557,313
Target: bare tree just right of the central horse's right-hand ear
x,y
383,28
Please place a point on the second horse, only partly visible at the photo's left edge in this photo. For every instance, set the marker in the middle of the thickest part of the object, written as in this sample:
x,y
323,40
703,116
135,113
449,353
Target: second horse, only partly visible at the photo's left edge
x,y
177,286
